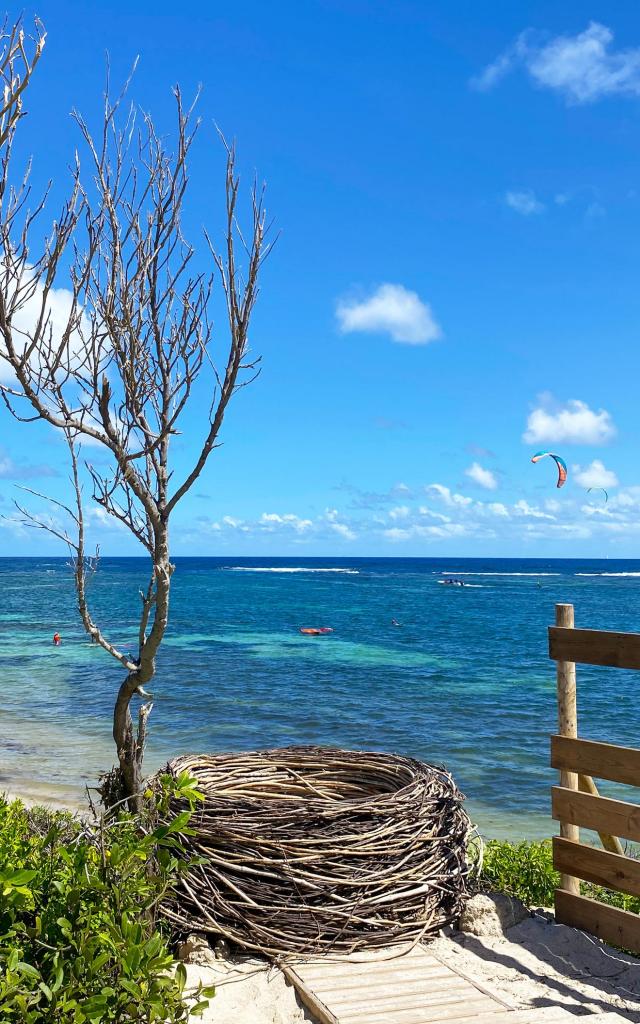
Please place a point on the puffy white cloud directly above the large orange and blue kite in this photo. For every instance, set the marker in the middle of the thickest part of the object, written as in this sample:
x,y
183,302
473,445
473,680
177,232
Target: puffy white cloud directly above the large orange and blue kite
x,y
576,423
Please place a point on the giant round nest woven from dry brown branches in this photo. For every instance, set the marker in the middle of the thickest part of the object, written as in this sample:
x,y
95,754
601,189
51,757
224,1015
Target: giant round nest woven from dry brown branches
x,y
312,849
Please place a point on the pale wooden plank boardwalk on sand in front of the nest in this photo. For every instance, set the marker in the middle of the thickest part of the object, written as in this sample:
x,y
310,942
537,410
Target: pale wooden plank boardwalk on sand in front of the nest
x,y
415,989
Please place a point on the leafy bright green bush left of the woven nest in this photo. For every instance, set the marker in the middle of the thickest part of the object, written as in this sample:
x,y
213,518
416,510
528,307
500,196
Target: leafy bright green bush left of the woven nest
x,y
79,935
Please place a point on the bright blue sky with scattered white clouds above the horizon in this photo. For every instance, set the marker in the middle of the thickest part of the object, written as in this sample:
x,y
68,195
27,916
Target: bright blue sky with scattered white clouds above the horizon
x,y
456,283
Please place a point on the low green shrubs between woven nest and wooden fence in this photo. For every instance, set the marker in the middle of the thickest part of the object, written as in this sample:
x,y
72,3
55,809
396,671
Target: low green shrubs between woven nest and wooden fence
x,y
526,870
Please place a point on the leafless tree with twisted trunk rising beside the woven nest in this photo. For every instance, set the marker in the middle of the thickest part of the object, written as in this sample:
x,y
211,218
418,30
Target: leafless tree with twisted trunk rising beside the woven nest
x,y
138,337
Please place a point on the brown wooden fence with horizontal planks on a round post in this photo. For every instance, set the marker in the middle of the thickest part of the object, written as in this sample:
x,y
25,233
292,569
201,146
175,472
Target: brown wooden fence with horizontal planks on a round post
x,y
576,801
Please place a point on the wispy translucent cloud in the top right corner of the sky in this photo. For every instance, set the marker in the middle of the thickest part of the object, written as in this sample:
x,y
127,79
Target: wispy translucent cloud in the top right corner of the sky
x,y
582,68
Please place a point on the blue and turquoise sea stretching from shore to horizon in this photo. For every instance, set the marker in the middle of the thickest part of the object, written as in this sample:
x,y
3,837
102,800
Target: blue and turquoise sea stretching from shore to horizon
x,y
465,680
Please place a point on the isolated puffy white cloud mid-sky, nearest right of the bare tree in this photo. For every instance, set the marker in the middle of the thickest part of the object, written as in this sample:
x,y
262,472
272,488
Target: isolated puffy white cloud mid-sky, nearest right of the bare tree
x,y
392,310
